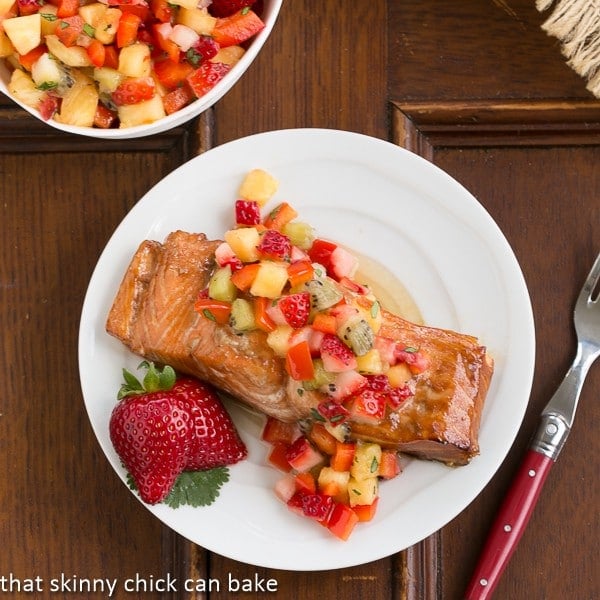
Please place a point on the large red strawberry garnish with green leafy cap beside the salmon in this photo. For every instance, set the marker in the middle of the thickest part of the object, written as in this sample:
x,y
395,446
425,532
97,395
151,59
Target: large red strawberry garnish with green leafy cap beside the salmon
x,y
165,426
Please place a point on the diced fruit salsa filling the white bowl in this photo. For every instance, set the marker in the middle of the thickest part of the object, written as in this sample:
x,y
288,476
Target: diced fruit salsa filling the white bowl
x,y
121,63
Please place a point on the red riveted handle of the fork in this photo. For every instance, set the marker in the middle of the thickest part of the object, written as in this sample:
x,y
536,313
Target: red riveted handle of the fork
x,y
509,525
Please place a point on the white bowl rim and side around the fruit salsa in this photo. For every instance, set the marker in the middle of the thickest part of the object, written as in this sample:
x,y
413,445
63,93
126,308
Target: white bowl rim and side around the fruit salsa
x,y
269,15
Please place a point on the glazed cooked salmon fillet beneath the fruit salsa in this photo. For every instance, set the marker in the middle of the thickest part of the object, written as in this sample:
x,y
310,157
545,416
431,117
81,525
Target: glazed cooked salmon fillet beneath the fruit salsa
x,y
153,315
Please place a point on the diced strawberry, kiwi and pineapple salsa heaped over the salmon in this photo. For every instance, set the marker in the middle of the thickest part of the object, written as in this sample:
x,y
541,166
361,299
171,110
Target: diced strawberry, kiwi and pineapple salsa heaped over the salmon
x,y
273,274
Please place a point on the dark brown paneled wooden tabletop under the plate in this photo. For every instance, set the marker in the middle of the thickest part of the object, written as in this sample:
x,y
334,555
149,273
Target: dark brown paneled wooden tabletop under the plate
x,y
475,87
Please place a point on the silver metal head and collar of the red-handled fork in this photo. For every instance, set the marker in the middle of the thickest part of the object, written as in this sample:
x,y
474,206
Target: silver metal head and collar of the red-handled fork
x,y
557,417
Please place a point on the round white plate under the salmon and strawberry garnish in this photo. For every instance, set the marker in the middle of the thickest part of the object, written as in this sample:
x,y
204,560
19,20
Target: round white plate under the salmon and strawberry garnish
x,y
386,203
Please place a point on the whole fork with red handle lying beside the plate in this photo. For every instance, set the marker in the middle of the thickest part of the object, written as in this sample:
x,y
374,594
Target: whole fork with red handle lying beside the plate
x,y
552,432
